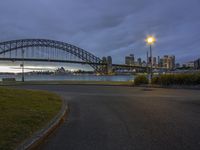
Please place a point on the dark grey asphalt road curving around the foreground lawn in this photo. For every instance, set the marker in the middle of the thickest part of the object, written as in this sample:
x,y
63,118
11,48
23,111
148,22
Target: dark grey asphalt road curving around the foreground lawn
x,y
126,118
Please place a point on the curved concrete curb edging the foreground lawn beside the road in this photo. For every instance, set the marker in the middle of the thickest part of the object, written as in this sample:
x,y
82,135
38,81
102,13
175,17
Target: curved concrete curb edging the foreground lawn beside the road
x,y
39,137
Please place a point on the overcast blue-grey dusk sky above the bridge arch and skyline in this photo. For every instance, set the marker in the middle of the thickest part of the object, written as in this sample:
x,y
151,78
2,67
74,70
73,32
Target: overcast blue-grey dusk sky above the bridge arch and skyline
x,y
108,27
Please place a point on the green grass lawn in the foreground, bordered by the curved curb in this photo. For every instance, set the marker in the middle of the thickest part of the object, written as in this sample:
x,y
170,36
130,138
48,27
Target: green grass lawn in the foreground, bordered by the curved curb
x,y
23,112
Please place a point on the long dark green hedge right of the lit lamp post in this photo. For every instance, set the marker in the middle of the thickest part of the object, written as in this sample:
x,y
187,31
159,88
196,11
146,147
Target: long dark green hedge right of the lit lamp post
x,y
177,79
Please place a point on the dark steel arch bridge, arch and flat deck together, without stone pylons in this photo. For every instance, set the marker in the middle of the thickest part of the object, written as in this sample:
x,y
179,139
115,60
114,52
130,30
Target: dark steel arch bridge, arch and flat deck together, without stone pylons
x,y
23,44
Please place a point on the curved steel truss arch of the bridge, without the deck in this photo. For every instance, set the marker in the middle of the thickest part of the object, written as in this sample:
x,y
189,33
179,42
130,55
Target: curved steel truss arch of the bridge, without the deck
x,y
84,55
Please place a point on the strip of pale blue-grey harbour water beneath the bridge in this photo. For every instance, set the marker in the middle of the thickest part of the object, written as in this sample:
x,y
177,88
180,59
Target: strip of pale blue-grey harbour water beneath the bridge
x,y
71,77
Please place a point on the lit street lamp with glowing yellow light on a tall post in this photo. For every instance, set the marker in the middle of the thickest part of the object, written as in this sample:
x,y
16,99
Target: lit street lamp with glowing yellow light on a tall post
x,y
150,41
